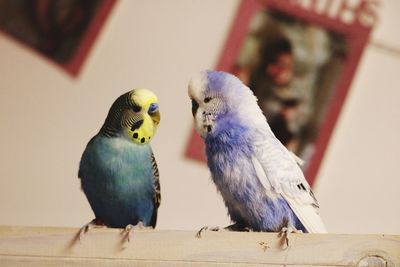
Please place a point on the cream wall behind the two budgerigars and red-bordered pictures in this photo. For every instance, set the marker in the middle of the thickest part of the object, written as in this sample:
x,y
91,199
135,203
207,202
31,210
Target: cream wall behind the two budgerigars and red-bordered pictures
x,y
47,118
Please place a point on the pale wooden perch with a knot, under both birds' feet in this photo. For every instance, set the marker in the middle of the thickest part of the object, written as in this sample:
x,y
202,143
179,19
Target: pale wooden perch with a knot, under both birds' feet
x,y
44,246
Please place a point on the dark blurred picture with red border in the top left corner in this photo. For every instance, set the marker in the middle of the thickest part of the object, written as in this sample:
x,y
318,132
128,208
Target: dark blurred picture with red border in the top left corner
x,y
63,31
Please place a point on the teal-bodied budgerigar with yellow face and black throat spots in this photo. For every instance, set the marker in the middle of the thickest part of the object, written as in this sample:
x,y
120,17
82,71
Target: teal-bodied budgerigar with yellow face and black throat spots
x,y
118,171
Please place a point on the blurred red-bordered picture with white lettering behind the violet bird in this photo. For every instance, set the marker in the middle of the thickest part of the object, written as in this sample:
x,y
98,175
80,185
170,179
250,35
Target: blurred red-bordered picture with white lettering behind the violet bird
x,y
298,57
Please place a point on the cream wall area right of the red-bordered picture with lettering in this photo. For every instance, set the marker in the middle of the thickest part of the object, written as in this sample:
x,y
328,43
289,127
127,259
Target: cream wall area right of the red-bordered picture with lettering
x,y
359,183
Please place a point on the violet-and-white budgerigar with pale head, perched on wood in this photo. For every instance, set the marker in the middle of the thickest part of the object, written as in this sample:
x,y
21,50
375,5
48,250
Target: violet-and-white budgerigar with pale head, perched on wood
x,y
260,181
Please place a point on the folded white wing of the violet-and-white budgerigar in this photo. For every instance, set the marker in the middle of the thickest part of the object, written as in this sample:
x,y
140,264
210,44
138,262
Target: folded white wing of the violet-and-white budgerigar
x,y
279,172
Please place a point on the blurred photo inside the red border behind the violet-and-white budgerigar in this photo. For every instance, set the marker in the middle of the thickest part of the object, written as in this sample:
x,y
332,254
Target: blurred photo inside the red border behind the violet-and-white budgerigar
x,y
292,67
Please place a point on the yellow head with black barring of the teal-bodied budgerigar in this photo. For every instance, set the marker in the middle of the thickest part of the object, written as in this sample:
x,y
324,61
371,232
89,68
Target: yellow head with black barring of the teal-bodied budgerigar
x,y
134,115
